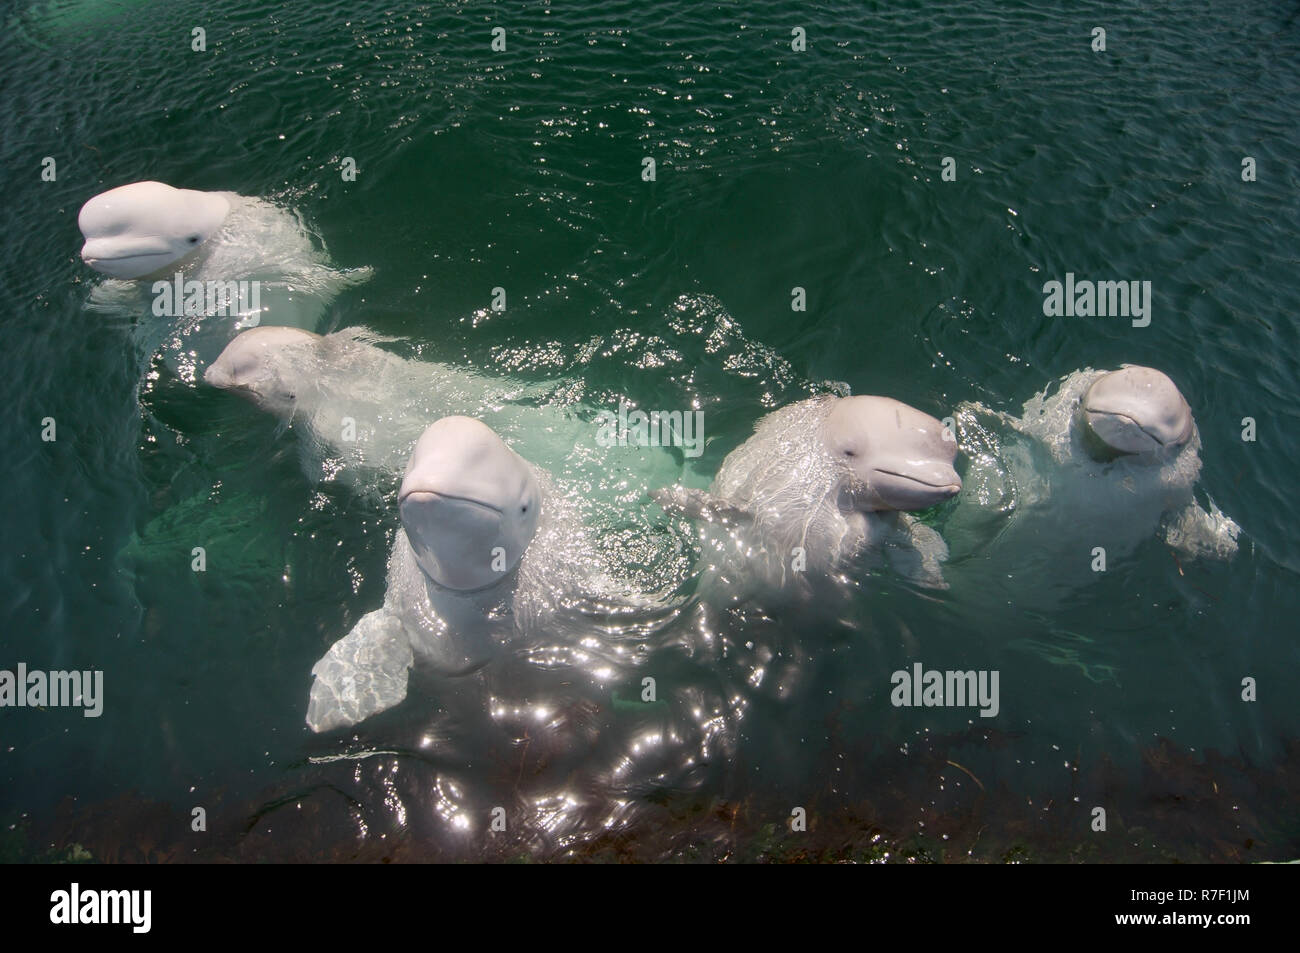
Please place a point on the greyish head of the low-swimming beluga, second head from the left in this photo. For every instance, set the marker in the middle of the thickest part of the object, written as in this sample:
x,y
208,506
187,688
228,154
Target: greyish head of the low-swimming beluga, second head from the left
x,y
268,366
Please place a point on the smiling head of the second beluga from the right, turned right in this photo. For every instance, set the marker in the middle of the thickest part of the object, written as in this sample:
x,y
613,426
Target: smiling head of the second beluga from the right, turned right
x,y
899,457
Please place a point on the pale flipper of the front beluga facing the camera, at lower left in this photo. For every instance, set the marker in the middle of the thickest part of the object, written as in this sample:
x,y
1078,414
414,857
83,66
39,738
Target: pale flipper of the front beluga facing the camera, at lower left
x,y
362,674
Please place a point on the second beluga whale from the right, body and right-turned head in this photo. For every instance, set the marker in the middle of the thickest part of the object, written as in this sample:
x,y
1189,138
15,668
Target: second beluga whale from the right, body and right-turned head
x,y
821,484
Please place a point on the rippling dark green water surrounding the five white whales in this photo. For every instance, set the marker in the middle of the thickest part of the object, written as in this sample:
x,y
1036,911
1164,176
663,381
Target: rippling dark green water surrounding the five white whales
x,y
775,170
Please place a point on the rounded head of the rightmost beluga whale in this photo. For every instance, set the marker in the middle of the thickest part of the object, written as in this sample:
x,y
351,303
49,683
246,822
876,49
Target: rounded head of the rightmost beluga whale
x,y
1134,411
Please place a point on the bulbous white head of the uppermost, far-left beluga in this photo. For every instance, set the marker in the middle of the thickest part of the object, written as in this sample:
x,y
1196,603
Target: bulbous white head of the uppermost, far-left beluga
x,y
145,228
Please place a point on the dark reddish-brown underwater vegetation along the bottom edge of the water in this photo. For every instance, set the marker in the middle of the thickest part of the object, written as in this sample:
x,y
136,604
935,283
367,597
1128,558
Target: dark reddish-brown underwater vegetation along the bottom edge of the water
x,y
922,805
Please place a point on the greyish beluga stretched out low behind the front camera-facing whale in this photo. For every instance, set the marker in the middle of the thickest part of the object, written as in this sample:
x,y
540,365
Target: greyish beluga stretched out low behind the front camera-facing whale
x,y
361,409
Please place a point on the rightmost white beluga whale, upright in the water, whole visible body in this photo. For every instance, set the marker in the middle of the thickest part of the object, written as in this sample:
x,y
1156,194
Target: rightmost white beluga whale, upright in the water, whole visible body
x,y
1108,461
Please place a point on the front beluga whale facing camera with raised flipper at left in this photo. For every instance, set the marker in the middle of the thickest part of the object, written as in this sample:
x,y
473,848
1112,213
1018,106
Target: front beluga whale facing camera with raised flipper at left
x,y
488,553
